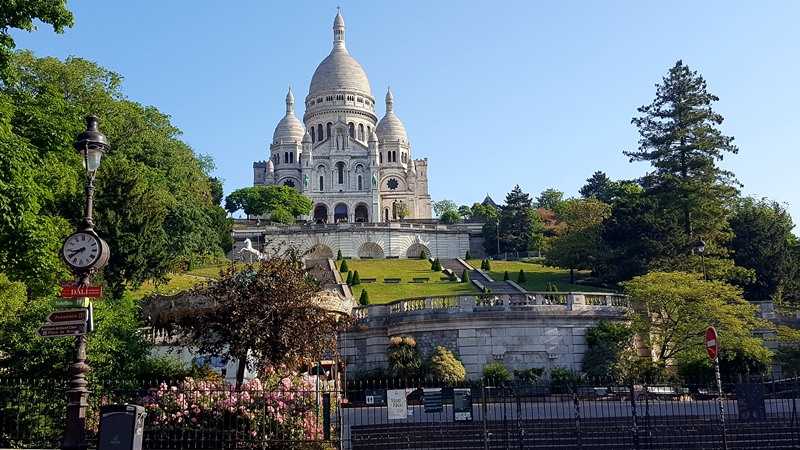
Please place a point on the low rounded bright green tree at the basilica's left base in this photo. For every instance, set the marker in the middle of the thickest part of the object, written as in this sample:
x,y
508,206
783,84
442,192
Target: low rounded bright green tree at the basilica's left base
x,y
281,203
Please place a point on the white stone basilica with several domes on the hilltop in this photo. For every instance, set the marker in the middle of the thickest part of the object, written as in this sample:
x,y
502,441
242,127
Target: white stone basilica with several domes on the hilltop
x,y
353,167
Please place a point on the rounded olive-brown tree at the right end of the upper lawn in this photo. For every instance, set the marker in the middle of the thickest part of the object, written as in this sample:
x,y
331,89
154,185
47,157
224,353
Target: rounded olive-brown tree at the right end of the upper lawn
x,y
580,244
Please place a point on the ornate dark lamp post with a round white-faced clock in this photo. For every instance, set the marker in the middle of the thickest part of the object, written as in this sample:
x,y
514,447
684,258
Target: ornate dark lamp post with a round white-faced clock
x,y
85,253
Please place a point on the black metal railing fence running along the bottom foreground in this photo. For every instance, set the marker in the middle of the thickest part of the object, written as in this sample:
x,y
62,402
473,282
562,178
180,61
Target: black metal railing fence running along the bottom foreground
x,y
318,414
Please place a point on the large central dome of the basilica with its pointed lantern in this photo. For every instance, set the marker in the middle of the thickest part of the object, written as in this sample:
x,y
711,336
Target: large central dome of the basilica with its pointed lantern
x,y
339,71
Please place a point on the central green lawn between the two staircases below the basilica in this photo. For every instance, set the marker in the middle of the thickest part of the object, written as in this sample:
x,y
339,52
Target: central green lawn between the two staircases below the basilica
x,y
406,270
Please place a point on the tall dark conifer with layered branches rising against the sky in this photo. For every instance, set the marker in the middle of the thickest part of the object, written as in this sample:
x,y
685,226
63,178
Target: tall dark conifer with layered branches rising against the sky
x,y
680,139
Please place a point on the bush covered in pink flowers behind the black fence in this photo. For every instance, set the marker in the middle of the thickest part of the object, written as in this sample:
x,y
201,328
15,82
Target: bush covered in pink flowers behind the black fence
x,y
276,407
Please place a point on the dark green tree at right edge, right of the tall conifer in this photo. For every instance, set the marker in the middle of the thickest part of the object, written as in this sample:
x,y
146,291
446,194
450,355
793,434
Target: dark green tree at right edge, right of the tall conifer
x,y
763,241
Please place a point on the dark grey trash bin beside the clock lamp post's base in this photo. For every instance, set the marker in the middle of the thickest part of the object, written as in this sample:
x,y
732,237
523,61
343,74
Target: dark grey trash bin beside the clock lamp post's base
x,y
121,427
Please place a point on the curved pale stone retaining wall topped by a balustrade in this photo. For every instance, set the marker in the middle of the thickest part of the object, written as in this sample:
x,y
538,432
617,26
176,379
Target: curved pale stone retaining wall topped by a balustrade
x,y
520,330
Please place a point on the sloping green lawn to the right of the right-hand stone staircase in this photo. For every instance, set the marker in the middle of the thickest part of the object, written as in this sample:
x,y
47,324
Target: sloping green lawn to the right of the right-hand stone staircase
x,y
537,276
